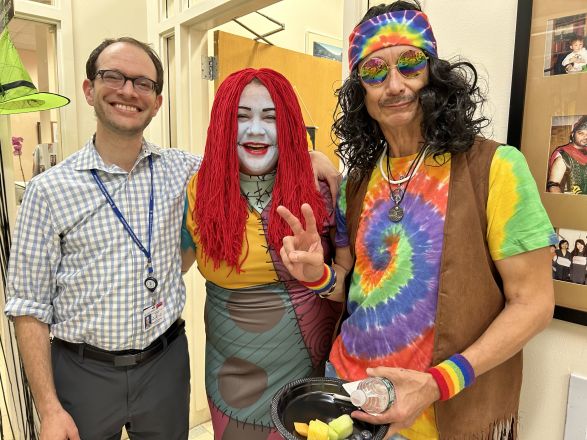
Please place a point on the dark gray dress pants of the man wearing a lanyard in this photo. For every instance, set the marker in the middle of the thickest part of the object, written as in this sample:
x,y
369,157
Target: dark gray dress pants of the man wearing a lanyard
x,y
150,399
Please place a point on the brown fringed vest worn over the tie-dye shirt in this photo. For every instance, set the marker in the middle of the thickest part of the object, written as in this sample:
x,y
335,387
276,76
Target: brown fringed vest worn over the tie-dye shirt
x,y
469,299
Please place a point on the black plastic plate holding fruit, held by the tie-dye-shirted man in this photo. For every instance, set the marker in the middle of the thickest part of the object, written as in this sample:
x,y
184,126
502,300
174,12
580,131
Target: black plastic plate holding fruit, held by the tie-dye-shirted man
x,y
308,399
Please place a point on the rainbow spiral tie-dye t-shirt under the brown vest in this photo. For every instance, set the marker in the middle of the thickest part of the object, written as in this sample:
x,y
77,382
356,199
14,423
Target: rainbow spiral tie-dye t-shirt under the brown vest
x,y
394,287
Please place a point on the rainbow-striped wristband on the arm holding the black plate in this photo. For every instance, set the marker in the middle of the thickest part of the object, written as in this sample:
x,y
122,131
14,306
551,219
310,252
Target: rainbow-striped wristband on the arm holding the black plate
x,y
452,375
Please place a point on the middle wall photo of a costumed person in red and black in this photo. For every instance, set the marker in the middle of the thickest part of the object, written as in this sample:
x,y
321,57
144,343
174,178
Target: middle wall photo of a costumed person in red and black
x,y
567,163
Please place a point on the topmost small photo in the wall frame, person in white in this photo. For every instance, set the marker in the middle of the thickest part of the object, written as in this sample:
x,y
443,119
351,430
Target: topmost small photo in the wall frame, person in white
x,y
565,45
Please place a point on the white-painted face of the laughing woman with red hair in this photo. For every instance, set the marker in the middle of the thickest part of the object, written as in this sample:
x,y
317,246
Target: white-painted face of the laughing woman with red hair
x,y
257,131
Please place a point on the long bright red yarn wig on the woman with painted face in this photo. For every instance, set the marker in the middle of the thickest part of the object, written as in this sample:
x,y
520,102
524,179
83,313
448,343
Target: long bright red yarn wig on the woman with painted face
x,y
221,211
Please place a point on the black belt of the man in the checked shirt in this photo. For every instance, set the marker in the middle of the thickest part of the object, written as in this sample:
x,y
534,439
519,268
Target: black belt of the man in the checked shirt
x,y
127,358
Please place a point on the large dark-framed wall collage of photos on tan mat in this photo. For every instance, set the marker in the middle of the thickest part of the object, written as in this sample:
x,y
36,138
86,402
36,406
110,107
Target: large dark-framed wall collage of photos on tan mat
x,y
548,120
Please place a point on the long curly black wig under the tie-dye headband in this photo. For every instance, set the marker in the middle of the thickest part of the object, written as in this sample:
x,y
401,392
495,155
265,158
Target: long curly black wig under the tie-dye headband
x,y
449,102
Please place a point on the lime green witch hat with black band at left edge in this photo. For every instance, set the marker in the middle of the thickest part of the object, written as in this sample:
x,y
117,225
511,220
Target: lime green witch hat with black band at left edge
x,y
17,92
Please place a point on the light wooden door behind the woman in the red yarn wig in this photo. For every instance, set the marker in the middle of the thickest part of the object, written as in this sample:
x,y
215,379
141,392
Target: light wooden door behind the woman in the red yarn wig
x,y
314,79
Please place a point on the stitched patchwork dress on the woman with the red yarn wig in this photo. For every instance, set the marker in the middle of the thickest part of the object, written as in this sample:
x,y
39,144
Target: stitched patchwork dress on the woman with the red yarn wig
x,y
263,328
